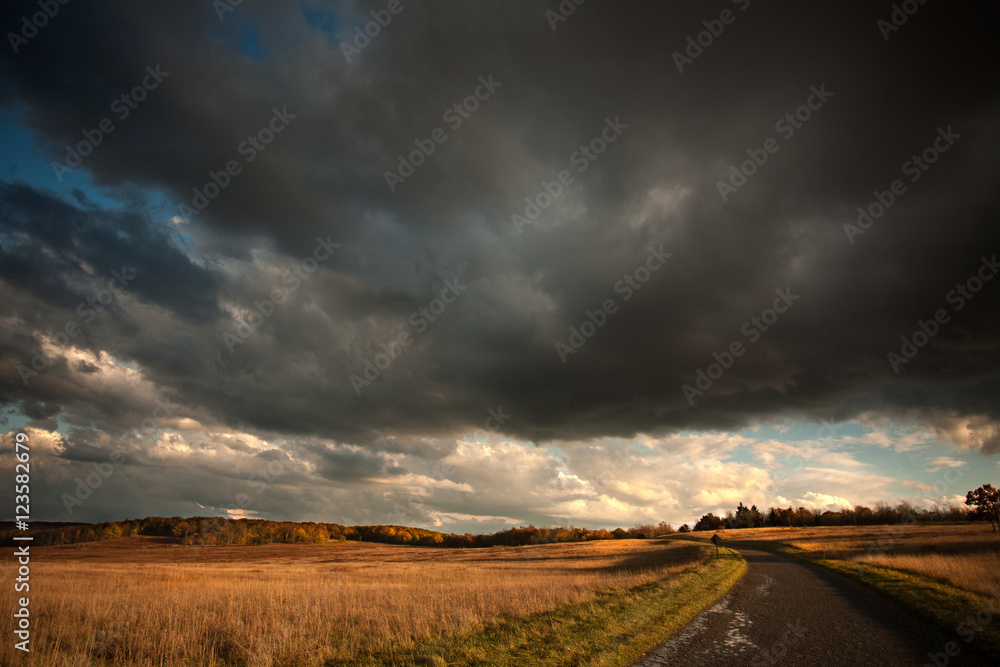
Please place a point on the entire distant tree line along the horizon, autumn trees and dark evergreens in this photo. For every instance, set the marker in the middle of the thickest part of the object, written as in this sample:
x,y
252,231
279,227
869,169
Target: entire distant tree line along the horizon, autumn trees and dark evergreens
x,y
211,531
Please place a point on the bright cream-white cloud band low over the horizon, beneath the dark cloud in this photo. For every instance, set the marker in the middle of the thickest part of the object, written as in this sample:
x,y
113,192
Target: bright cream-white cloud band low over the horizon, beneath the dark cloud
x,y
478,483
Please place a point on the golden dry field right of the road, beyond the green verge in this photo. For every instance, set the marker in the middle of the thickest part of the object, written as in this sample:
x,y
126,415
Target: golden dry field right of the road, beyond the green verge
x,y
965,556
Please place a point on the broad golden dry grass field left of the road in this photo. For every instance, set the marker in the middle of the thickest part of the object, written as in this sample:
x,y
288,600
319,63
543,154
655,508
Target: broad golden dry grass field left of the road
x,y
141,603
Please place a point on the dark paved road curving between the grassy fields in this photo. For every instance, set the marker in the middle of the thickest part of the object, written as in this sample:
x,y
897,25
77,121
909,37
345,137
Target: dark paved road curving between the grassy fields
x,y
786,612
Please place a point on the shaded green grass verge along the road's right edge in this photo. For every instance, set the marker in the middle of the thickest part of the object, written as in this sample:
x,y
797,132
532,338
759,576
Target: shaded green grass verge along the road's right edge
x,y
952,610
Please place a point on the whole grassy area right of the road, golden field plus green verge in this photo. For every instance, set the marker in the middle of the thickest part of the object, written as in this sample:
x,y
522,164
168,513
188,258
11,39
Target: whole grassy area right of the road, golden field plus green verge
x,y
949,575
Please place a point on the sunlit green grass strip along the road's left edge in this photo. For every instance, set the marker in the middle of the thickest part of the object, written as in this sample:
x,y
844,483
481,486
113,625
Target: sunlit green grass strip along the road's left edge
x,y
614,629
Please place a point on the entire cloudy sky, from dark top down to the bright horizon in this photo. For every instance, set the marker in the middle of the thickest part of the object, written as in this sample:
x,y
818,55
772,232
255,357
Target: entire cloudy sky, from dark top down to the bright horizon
x,y
189,391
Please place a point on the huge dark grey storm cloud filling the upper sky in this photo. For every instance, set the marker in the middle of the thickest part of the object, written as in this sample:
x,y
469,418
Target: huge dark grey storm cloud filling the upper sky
x,y
656,184
